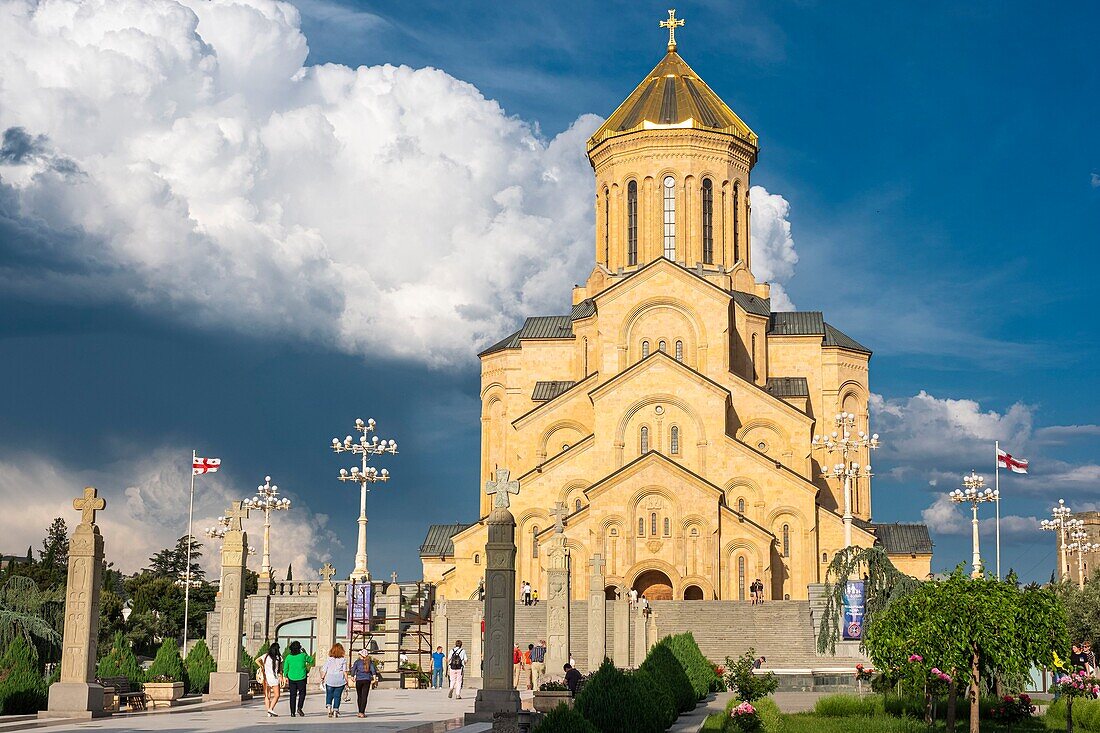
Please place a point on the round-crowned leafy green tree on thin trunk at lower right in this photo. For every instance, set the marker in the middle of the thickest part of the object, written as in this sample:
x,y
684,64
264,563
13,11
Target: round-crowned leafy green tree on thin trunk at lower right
x,y
965,626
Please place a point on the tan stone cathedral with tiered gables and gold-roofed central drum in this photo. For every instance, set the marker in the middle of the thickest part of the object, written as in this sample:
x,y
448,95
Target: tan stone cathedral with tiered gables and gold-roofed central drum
x,y
668,420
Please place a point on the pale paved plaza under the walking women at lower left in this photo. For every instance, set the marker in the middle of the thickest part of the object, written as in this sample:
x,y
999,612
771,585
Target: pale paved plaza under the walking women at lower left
x,y
410,712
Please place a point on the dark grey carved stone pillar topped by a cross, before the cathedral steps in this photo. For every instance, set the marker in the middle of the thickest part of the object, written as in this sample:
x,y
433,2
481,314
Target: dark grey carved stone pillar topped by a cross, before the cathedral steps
x,y
499,698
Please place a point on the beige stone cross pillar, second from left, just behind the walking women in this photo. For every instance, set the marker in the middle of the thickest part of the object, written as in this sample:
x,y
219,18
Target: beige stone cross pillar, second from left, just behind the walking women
x,y
230,682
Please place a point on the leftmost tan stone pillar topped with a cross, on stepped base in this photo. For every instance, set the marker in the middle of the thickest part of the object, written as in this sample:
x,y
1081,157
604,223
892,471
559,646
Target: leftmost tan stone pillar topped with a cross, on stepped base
x,y
78,695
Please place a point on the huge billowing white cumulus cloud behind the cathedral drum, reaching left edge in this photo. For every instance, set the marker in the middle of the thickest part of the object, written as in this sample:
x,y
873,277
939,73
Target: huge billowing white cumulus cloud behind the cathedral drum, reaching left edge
x,y
189,162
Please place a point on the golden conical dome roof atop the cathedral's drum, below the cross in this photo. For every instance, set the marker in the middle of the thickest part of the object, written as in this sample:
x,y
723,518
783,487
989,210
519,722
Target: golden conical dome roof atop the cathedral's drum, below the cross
x,y
673,96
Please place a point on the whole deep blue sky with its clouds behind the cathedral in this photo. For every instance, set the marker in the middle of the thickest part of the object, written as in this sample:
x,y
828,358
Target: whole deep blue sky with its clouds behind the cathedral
x,y
941,163
